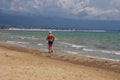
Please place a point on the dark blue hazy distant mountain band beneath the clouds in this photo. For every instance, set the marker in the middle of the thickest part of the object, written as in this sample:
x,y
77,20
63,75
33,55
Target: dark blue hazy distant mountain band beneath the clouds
x,y
56,22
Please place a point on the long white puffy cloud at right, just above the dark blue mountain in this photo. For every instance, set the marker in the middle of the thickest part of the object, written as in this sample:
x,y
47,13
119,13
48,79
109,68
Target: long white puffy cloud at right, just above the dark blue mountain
x,y
99,14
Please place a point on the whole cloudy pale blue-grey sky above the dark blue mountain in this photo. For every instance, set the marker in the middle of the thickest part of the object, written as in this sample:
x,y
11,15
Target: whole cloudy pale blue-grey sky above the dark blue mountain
x,y
77,9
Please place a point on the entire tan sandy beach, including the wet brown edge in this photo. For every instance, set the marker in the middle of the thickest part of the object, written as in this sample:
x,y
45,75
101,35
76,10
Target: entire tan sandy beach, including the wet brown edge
x,y
21,63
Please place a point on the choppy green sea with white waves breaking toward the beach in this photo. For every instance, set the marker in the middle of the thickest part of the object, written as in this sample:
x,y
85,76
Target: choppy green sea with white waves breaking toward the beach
x,y
105,45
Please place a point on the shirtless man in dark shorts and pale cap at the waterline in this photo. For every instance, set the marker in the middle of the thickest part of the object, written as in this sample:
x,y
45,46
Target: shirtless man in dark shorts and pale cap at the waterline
x,y
50,38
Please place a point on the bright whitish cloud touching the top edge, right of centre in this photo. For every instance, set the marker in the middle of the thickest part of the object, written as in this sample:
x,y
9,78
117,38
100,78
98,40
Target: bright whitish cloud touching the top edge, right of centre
x,y
73,6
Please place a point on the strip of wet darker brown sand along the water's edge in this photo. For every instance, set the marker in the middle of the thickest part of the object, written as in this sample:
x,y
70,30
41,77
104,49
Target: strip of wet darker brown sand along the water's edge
x,y
104,64
